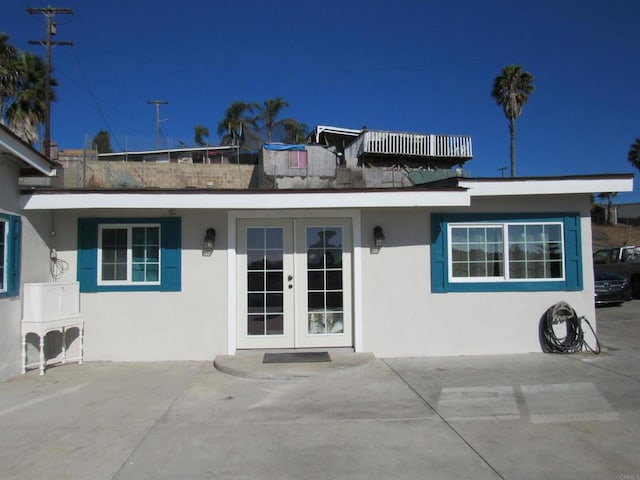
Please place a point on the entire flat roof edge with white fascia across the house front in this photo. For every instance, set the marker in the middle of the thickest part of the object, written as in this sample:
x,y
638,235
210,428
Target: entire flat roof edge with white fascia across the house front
x,y
431,195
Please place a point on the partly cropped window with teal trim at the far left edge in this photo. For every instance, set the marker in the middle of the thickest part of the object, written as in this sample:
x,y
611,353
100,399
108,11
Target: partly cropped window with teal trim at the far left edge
x,y
10,236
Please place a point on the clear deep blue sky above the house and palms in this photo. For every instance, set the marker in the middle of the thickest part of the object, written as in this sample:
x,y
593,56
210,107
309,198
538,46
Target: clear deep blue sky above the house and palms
x,y
409,65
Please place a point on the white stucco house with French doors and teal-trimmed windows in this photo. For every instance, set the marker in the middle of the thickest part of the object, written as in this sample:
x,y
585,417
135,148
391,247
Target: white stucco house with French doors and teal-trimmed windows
x,y
465,266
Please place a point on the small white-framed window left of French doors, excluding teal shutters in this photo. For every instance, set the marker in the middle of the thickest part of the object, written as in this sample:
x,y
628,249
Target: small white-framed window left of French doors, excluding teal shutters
x,y
129,254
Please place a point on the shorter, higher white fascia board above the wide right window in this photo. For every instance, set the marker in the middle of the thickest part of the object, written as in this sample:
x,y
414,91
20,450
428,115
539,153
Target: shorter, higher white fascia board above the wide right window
x,y
541,186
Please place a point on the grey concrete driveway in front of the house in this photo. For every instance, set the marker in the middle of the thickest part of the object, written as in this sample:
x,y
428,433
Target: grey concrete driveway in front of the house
x,y
511,416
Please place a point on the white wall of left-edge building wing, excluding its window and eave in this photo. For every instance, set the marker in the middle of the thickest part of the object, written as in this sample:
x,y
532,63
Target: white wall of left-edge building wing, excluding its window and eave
x,y
33,268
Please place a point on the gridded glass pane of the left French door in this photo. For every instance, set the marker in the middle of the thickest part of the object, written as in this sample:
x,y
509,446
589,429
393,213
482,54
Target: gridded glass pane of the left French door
x,y
265,282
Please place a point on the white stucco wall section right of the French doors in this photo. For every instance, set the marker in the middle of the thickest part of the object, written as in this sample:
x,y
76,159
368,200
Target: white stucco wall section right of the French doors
x,y
402,317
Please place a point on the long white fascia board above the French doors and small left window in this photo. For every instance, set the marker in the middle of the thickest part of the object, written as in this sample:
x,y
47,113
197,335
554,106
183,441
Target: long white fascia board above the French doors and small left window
x,y
254,201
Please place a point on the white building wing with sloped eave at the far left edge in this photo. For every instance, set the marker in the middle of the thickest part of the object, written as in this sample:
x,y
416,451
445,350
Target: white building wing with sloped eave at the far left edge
x,y
24,242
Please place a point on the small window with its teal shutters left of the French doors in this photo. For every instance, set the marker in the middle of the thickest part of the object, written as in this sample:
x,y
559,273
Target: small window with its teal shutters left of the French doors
x,y
124,254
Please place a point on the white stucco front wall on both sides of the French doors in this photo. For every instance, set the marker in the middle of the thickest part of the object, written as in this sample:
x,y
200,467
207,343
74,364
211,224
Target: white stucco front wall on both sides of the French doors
x,y
400,315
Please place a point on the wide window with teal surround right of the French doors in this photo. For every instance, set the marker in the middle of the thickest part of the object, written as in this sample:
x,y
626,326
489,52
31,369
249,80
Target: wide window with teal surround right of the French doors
x,y
505,252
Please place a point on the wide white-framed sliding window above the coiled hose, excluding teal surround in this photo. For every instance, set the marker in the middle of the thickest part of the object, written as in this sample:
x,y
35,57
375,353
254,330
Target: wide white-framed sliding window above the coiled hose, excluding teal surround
x,y
506,251
